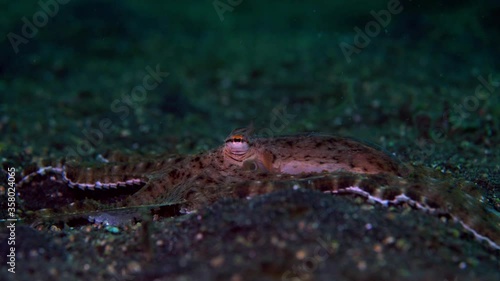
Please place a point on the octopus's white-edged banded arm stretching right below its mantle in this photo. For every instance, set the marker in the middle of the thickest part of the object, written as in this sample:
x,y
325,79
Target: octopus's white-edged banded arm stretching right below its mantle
x,y
466,208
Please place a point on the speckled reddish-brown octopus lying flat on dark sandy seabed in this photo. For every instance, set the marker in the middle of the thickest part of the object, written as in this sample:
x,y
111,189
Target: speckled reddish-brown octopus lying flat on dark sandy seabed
x,y
246,166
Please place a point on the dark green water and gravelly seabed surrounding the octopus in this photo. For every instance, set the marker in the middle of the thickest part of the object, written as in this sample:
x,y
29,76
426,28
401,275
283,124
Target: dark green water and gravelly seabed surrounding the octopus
x,y
418,79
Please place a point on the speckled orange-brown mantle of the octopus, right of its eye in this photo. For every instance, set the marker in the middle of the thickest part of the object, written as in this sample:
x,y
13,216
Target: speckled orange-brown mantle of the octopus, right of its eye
x,y
317,154
